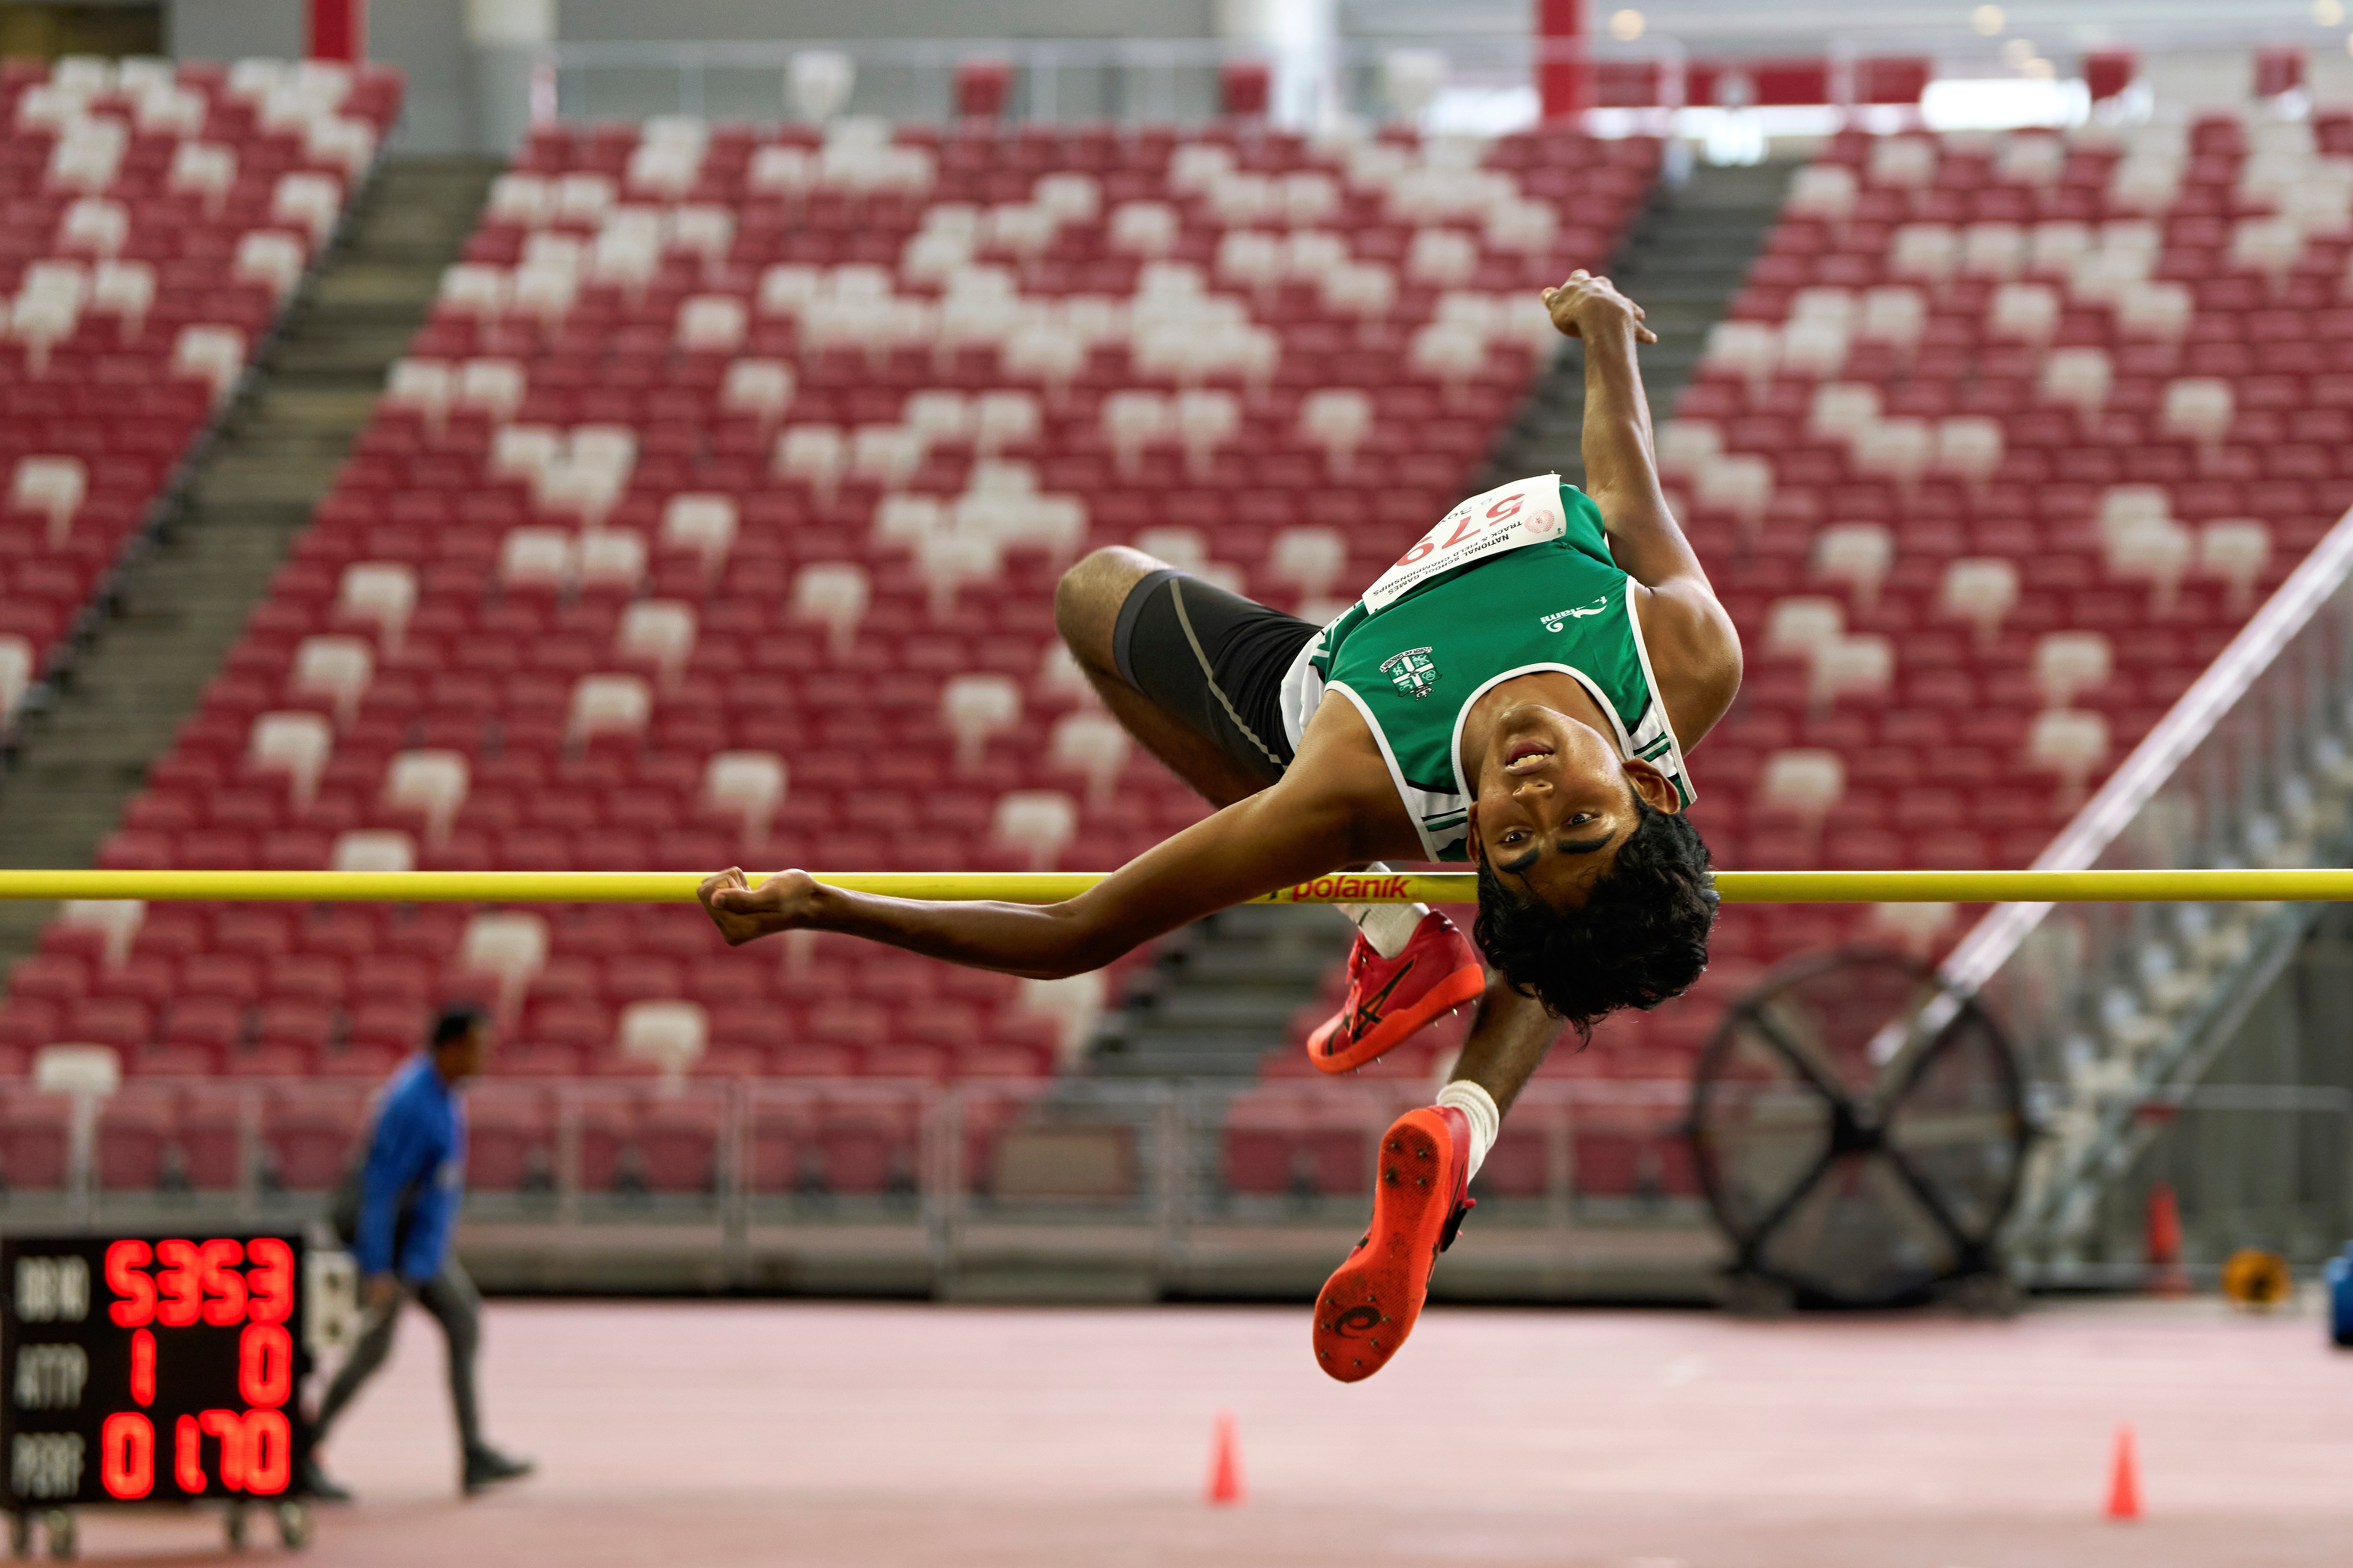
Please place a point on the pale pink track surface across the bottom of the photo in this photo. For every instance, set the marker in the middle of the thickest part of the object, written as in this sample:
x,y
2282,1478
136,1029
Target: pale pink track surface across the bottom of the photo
x,y
855,1435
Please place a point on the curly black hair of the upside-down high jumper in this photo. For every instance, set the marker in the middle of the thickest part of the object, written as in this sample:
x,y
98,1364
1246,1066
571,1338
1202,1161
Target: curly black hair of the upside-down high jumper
x,y
1639,939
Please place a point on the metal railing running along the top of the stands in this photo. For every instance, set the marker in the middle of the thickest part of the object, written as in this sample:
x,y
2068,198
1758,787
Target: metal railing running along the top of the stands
x,y
1479,83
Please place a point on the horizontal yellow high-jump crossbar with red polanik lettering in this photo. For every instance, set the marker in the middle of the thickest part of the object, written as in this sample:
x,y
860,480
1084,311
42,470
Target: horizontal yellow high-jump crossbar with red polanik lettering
x,y
1053,887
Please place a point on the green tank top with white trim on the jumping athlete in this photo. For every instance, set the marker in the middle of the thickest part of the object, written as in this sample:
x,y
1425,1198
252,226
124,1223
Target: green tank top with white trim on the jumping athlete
x,y
1418,666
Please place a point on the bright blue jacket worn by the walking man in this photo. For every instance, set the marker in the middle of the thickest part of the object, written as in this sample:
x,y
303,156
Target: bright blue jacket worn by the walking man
x,y
415,1177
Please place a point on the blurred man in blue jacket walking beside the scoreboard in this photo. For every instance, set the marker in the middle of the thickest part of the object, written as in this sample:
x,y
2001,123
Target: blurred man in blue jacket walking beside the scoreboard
x,y
396,1212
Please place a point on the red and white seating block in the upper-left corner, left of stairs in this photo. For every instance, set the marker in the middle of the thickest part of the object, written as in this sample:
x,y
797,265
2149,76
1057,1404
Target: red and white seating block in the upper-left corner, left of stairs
x,y
154,222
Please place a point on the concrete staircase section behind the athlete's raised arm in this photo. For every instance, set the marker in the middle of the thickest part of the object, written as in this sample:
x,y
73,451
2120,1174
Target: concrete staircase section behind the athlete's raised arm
x,y
1684,264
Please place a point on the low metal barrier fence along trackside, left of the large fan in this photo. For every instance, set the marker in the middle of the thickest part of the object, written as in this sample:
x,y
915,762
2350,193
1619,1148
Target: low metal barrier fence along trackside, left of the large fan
x,y
1138,1188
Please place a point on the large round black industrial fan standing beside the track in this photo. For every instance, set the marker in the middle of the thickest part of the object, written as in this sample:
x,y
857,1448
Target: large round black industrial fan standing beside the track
x,y
1860,1134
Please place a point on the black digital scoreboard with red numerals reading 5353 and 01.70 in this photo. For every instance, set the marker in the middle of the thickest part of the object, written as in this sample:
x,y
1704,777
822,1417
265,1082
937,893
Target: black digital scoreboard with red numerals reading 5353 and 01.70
x,y
152,1369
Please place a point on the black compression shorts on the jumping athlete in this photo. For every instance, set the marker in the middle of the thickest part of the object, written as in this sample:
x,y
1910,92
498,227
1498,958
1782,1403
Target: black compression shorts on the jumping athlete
x,y
1213,659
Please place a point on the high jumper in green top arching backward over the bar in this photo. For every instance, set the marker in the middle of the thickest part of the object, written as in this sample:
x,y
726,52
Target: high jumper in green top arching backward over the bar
x,y
1519,692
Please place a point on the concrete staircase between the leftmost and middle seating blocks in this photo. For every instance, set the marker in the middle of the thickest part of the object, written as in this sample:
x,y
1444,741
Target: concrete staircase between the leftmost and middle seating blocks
x,y
185,603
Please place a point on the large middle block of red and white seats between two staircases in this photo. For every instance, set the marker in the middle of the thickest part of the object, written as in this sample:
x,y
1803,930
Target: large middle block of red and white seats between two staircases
x,y
714,518
